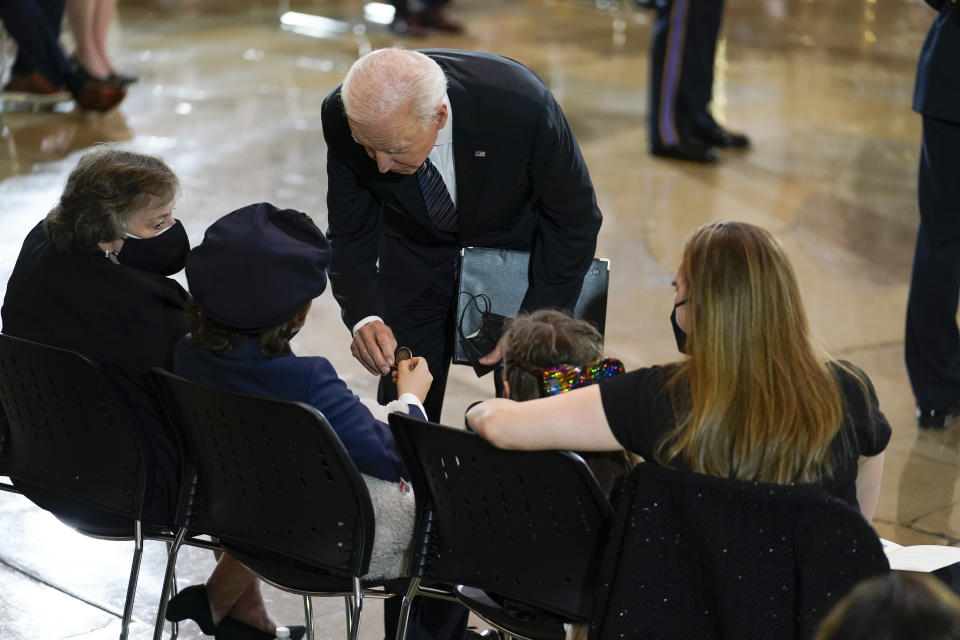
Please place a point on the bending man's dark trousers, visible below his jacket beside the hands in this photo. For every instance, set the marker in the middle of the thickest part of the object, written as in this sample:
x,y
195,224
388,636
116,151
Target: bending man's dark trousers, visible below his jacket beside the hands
x,y
425,324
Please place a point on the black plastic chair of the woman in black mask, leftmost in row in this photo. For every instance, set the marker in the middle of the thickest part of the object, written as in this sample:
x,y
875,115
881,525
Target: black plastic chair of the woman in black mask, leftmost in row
x,y
71,448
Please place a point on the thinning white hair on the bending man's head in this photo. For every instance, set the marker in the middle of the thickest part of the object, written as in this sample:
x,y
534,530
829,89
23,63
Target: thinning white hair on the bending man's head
x,y
382,81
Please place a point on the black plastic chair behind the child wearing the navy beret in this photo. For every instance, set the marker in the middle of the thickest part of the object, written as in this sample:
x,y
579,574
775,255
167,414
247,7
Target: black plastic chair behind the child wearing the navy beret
x,y
271,479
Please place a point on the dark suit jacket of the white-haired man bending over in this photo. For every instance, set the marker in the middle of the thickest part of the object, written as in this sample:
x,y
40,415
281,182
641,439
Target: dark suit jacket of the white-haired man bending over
x,y
521,184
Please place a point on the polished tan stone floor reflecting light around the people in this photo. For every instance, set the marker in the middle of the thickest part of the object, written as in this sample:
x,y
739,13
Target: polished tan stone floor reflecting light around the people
x,y
231,100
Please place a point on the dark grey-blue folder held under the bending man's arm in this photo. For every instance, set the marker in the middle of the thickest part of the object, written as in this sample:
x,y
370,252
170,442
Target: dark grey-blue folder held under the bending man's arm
x,y
493,283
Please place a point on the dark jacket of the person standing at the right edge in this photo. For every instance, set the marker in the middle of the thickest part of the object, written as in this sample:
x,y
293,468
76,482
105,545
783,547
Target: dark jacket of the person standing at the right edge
x,y
937,91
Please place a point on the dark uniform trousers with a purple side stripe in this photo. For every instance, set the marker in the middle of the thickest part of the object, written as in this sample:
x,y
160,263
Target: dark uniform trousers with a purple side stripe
x,y
682,52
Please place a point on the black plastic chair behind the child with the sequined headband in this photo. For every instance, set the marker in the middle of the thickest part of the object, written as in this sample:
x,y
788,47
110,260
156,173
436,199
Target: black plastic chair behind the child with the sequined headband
x,y
525,527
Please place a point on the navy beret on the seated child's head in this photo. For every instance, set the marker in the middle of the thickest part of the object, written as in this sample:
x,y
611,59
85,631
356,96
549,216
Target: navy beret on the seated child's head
x,y
258,266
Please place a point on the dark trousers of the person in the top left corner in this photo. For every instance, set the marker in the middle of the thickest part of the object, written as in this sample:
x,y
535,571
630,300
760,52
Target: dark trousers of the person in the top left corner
x,y
35,26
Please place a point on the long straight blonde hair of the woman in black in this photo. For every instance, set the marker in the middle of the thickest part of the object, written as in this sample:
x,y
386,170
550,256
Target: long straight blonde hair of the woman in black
x,y
755,400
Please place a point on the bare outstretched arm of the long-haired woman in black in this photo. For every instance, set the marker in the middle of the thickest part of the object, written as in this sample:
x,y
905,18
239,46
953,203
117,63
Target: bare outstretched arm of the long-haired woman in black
x,y
573,420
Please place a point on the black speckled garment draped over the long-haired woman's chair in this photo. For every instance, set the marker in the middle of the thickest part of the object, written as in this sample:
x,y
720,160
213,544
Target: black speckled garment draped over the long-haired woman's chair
x,y
695,556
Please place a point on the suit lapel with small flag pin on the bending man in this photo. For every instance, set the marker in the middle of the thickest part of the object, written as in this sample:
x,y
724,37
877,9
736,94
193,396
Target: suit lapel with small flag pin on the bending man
x,y
470,159
